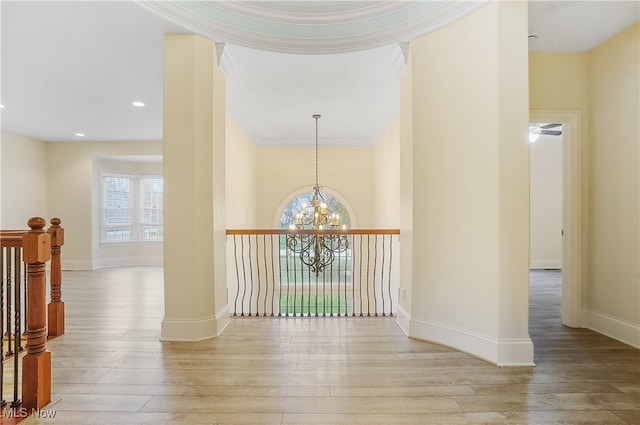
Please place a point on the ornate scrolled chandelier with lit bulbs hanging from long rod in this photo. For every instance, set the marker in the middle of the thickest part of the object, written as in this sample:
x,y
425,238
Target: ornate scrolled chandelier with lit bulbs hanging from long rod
x,y
318,247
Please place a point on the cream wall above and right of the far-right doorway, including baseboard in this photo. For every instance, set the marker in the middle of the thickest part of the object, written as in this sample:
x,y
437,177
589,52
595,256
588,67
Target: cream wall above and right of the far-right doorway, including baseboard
x,y
602,85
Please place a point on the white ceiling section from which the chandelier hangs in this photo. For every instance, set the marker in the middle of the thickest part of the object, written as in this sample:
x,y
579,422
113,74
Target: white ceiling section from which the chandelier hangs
x,y
274,95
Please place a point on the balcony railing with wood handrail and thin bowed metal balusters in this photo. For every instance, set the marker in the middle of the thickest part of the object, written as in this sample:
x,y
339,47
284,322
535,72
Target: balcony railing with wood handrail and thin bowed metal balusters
x,y
267,278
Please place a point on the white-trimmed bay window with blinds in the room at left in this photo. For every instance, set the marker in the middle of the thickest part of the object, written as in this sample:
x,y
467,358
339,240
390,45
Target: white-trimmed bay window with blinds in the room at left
x,y
131,208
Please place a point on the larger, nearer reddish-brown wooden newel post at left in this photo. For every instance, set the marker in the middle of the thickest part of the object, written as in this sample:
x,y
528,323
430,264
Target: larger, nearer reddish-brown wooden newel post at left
x,y
36,364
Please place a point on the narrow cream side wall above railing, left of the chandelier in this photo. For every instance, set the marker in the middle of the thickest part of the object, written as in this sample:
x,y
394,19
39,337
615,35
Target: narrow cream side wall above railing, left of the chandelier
x,y
241,180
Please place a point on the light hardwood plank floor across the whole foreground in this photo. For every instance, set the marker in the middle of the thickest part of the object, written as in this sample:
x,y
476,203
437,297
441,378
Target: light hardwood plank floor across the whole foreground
x,y
111,368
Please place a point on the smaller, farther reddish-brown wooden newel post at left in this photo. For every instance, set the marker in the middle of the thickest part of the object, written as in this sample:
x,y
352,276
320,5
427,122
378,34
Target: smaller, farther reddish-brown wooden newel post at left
x,y
55,310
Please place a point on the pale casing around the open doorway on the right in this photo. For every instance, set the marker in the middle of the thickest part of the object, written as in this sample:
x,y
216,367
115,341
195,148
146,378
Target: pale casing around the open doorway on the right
x,y
571,304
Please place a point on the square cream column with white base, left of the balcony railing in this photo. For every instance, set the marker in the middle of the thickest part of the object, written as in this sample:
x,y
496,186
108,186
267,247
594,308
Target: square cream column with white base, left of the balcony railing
x,y
193,167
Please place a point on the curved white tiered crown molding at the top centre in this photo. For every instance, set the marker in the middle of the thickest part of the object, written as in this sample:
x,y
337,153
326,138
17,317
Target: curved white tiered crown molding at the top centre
x,y
312,27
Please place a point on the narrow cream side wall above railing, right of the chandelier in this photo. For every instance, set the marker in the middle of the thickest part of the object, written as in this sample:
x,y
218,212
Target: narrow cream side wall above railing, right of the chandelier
x,y
386,178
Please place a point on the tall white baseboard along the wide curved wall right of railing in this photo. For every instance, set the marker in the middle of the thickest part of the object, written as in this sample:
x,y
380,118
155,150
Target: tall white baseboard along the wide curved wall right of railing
x,y
503,352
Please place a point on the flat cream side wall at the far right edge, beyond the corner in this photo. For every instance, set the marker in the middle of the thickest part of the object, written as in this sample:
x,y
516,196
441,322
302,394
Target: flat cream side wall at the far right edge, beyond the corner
x,y
614,249
